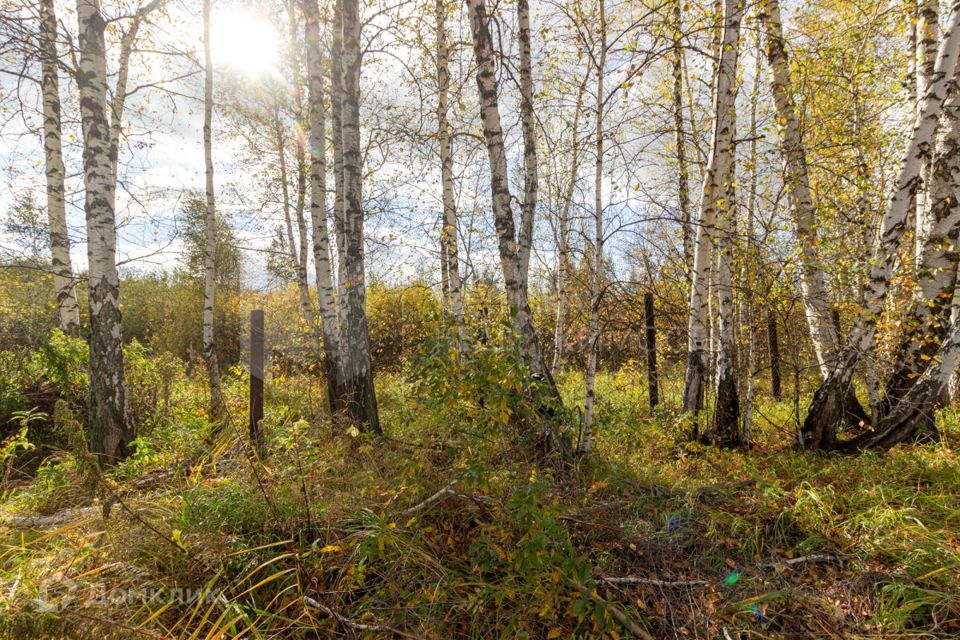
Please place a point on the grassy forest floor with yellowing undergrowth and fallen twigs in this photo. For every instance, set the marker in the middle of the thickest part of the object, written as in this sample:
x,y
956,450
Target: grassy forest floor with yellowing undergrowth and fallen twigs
x,y
447,529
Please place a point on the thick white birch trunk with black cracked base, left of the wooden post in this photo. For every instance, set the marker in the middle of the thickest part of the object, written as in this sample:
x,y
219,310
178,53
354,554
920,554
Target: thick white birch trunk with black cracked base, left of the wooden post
x,y
110,429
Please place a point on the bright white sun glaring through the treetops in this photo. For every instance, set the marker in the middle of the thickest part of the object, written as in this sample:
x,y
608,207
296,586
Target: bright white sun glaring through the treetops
x,y
245,41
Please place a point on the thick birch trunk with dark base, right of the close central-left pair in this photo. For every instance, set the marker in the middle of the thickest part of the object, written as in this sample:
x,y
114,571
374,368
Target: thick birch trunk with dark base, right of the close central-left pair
x,y
359,398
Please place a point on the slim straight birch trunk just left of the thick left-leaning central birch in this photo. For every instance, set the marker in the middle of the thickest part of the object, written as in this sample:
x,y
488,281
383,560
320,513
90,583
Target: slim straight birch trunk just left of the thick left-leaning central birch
x,y
448,234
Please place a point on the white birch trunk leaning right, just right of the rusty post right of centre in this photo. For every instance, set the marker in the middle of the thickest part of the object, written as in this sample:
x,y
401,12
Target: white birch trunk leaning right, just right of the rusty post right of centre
x,y
715,173
